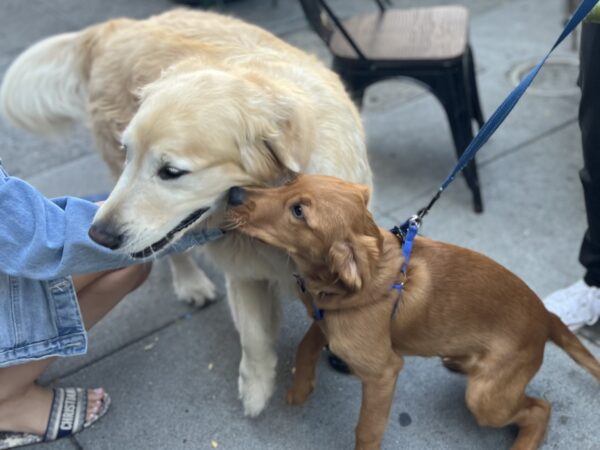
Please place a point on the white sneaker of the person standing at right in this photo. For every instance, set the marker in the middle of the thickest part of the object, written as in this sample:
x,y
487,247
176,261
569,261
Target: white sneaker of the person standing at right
x,y
576,305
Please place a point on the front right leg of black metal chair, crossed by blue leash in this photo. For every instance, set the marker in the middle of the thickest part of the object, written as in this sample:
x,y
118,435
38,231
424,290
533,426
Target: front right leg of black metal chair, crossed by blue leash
x,y
455,98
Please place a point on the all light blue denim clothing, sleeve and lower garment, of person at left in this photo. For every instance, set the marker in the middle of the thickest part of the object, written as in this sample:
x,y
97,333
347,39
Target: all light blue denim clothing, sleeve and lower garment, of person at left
x,y
42,242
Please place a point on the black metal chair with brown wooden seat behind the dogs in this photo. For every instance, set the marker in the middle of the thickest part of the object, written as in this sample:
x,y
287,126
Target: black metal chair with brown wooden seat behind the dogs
x,y
427,44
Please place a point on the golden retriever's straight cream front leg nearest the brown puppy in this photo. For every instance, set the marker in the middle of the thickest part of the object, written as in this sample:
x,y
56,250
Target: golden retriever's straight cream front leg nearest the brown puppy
x,y
256,310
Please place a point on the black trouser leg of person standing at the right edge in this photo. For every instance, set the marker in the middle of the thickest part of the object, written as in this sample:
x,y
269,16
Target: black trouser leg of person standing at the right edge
x,y
589,123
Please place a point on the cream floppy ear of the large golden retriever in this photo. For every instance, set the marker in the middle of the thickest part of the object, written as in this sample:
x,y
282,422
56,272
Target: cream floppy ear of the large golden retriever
x,y
279,130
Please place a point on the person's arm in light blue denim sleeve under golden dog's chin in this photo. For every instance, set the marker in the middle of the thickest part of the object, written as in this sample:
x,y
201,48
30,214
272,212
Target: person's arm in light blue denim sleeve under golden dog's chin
x,y
45,239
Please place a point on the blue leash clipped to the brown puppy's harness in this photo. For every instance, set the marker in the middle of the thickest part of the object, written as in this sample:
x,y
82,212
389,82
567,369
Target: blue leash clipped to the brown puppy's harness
x,y
409,229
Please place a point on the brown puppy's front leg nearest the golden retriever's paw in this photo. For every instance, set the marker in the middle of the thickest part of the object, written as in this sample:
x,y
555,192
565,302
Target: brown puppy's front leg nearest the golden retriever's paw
x,y
306,363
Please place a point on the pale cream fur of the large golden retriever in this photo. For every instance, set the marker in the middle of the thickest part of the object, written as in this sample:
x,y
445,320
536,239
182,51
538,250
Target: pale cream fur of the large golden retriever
x,y
224,100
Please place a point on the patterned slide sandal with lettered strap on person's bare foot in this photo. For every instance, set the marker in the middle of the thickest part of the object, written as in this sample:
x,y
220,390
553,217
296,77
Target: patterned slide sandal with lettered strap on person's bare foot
x,y
67,417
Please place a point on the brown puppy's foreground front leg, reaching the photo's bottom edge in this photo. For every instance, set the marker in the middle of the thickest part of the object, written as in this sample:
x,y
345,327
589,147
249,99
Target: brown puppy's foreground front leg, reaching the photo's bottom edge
x,y
377,396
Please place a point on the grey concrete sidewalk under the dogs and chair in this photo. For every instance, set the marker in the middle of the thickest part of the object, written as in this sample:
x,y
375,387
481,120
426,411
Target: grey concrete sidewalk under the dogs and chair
x,y
172,370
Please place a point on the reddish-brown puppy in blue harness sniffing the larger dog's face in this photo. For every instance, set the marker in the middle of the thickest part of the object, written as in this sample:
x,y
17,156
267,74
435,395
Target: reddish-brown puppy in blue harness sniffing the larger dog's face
x,y
460,305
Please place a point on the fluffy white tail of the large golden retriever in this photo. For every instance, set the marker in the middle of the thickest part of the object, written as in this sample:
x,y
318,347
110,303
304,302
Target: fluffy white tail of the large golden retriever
x,y
44,90
